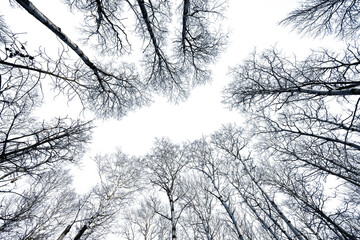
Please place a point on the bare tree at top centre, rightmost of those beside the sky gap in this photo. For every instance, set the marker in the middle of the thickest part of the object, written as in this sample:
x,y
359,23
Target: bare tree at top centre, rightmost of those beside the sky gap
x,y
200,42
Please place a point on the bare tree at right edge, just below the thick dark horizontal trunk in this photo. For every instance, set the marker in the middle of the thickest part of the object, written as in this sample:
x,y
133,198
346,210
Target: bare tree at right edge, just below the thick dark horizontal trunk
x,y
311,137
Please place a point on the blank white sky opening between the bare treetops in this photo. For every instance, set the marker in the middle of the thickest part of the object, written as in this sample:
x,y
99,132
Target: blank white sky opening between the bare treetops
x,y
252,23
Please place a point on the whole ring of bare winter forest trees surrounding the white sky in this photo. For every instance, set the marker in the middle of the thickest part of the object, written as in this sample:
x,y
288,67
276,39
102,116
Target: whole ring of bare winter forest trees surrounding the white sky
x,y
290,169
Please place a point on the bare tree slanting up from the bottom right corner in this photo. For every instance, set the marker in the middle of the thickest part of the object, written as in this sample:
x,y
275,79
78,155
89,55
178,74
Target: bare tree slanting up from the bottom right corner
x,y
307,193
